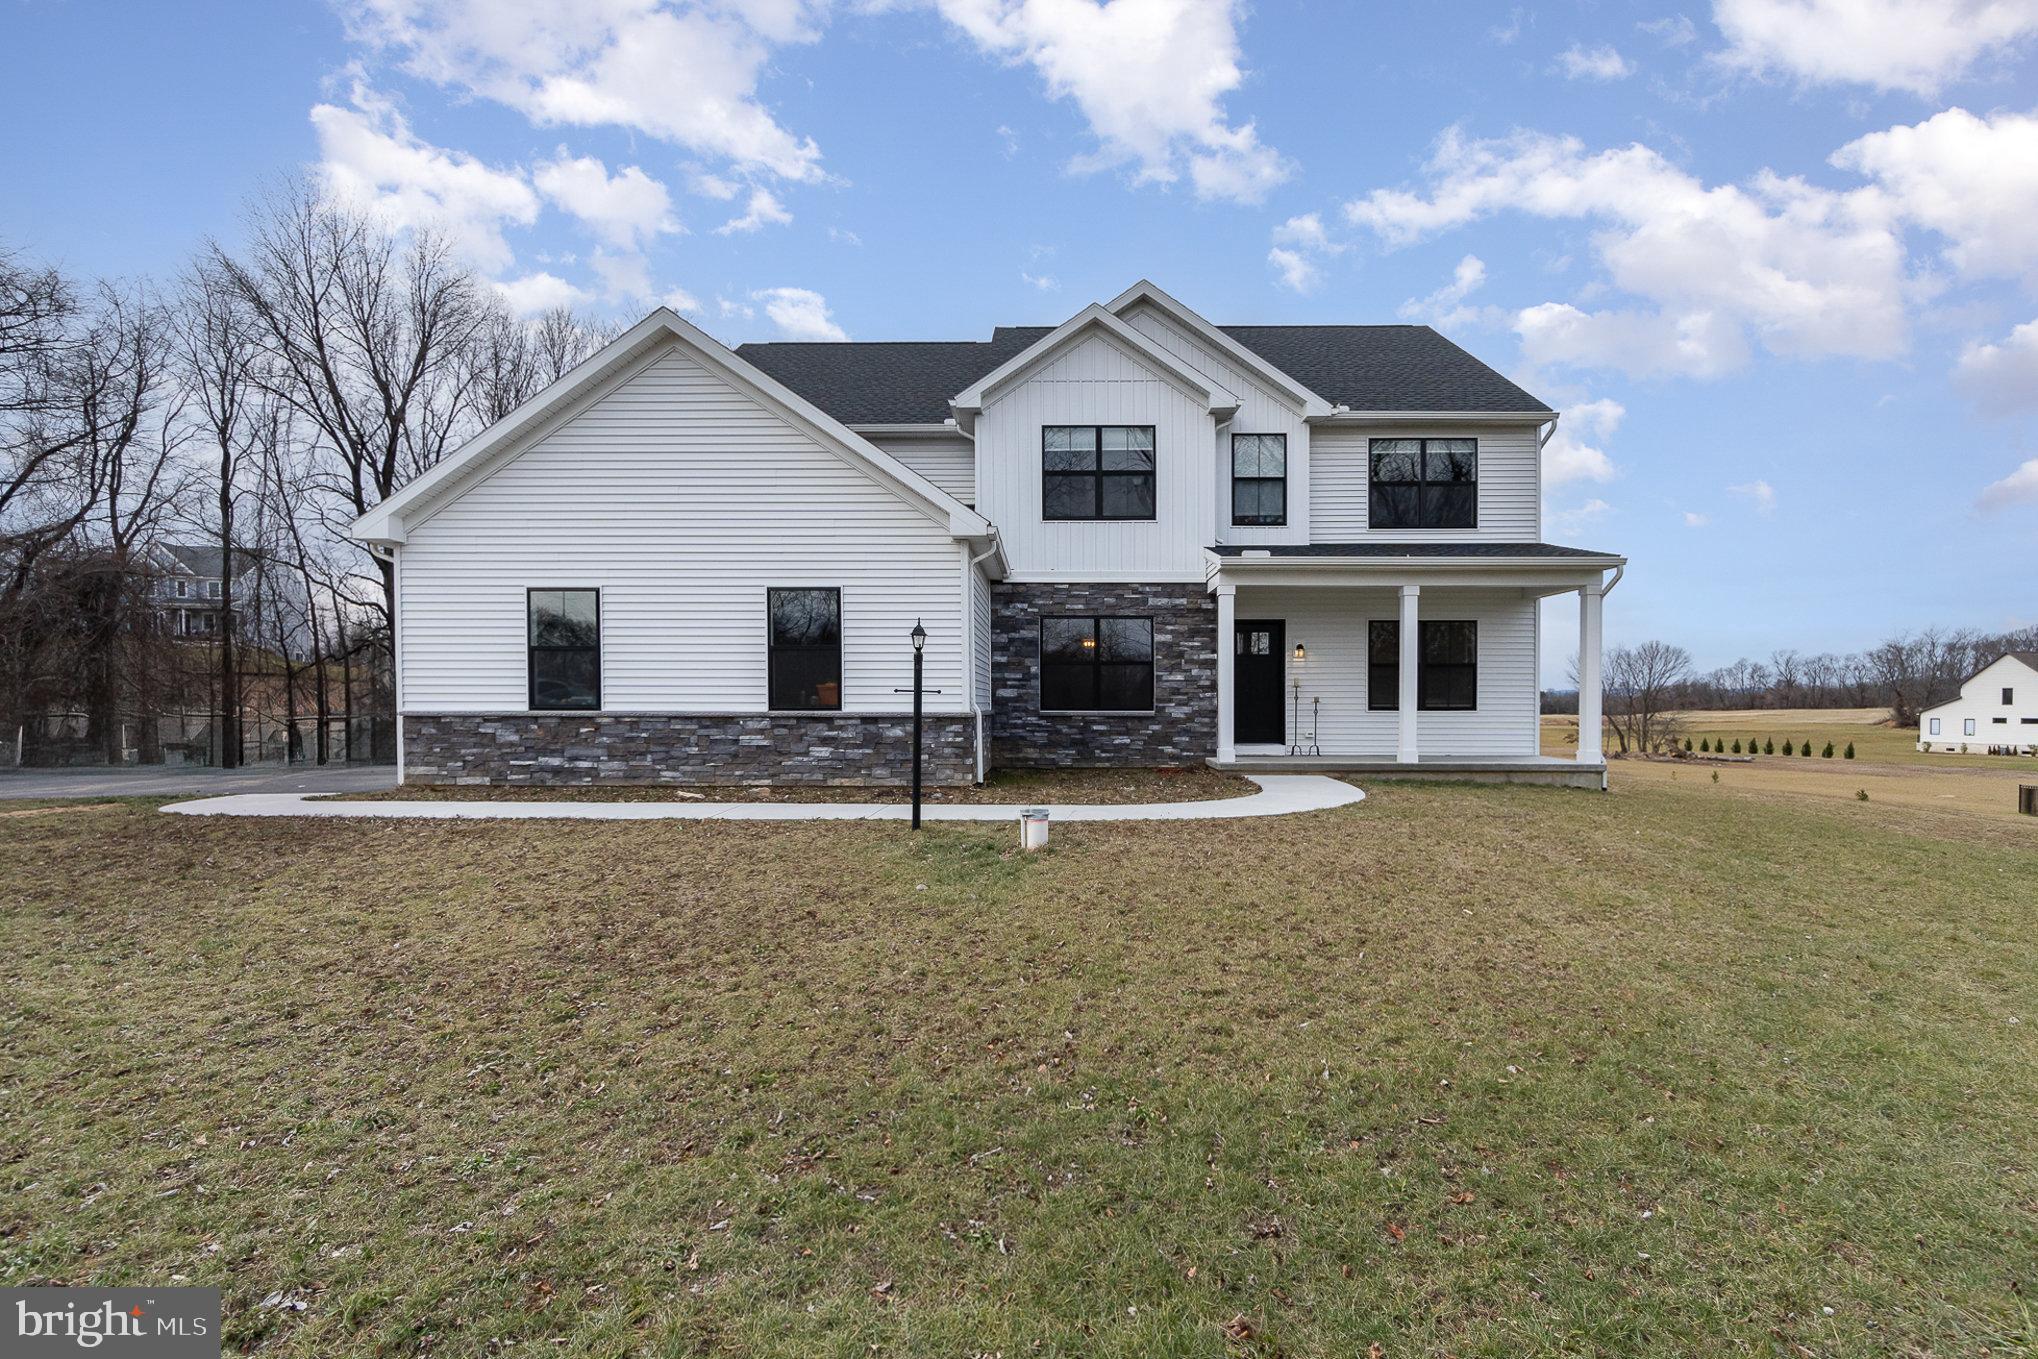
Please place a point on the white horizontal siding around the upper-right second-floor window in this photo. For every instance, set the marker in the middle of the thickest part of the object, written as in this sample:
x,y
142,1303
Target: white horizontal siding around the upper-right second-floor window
x,y
1509,484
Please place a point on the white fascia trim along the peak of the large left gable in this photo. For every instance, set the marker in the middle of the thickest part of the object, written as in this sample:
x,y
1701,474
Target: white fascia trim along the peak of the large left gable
x,y
386,523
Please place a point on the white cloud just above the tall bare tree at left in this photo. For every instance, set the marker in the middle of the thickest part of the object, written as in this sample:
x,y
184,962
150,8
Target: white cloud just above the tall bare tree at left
x,y
372,158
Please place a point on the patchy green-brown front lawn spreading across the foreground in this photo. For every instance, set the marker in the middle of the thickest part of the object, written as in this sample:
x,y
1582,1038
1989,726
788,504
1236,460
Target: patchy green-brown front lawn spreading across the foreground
x,y
1456,1071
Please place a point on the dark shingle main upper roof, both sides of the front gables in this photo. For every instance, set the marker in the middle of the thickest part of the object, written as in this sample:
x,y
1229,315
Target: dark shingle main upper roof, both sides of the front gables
x,y
1362,368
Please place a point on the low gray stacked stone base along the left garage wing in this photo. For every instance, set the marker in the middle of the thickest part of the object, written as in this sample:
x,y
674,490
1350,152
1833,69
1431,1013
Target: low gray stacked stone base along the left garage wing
x,y
674,749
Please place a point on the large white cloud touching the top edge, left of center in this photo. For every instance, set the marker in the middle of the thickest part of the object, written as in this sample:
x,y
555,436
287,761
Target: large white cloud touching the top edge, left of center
x,y
688,76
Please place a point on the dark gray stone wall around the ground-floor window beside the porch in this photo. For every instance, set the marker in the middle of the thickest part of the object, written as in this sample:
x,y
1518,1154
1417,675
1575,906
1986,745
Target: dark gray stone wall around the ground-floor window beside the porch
x,y
1183,724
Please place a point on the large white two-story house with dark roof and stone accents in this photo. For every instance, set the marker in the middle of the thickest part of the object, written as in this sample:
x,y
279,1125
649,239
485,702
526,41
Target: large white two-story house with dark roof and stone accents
x,y
1134,539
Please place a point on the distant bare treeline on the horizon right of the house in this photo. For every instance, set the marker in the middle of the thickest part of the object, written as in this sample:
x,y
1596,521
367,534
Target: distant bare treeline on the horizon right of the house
x,y
1907,673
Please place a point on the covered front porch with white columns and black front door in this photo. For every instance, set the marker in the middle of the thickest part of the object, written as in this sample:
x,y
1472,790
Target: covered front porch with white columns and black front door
x,y
1401,659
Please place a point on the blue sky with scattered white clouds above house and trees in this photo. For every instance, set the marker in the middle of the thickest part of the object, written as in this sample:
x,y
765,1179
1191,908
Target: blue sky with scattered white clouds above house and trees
x,y
1772,256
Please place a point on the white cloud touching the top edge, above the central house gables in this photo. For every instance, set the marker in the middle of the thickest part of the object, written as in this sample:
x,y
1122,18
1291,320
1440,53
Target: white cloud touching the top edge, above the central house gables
x,y
1150,76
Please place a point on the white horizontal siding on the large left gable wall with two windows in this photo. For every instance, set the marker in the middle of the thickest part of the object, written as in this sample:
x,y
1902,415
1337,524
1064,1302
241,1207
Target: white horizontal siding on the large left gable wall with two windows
x,y
682,498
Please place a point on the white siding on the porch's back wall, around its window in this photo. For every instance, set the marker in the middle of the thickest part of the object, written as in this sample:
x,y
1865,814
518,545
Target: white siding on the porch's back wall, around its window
x,y
1334,624
